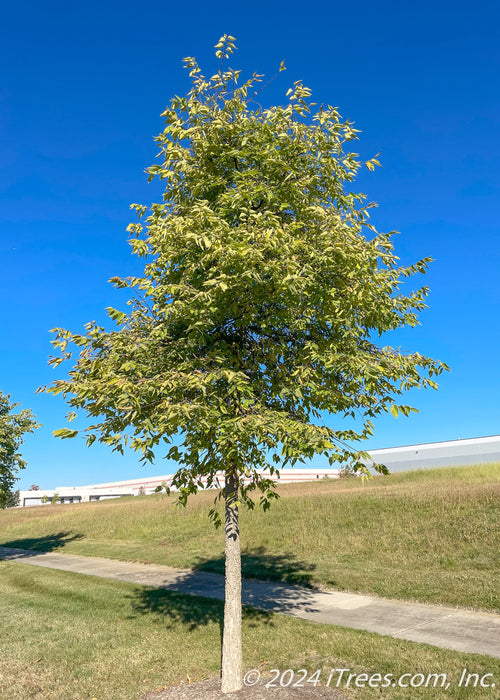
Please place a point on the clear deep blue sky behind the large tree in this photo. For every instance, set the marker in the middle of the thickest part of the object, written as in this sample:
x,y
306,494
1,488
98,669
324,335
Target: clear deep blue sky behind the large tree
x,y
82,88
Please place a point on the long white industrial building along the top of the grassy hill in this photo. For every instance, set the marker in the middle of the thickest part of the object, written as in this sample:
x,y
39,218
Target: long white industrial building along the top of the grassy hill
x,y
483,450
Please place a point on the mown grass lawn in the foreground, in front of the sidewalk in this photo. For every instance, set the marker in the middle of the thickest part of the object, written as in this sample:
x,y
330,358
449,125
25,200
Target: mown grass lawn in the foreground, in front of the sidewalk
x,y
67,636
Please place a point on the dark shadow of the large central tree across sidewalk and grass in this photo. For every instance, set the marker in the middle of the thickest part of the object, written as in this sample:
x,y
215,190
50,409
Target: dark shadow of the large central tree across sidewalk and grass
x,y
196,598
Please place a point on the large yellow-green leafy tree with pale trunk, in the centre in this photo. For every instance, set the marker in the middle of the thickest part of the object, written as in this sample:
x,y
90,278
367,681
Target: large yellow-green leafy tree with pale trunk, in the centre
x,y
265,293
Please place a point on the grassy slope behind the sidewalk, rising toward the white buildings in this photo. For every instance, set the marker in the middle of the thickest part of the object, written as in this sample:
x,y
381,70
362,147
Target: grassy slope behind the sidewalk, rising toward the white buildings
x,y
430,535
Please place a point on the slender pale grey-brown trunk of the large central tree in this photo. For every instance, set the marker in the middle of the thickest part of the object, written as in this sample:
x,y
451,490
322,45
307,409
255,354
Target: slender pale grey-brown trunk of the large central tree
x,y
231,640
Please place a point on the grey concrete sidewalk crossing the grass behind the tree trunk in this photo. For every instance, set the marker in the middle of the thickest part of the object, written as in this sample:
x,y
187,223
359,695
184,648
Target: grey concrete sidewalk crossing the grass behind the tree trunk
x,y
461,630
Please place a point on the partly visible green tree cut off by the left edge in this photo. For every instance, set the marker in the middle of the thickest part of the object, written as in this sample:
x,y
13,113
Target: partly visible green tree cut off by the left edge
x,y
13,426
